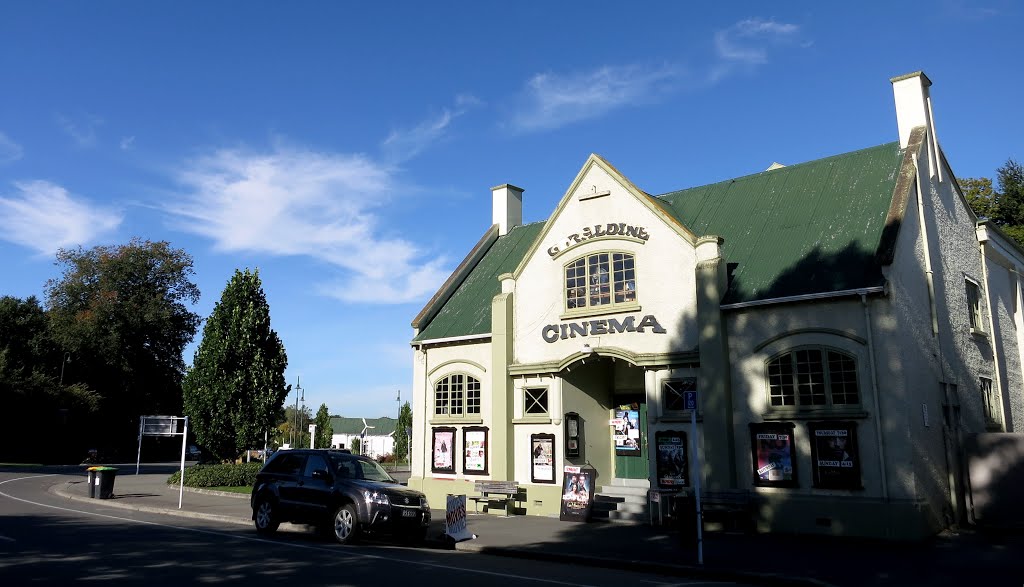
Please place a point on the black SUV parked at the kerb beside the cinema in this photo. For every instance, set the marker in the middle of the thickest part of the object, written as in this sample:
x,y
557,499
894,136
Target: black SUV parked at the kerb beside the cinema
x,y
338,492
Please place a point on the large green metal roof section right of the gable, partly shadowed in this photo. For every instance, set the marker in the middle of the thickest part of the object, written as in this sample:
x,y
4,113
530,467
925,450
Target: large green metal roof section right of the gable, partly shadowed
x,y
813,228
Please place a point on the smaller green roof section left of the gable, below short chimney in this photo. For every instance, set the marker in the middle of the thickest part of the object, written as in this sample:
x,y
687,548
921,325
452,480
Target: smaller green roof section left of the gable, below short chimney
x,y
468,311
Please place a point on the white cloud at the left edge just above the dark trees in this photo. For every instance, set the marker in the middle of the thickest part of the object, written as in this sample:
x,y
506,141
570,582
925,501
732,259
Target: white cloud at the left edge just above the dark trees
x,y
46,218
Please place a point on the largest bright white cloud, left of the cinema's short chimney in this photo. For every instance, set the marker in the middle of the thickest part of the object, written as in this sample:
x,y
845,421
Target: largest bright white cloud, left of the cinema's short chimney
x,y
297,202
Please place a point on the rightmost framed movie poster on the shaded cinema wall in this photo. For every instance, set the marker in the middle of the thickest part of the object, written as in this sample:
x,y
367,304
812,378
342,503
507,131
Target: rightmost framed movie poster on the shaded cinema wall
x,y
835,457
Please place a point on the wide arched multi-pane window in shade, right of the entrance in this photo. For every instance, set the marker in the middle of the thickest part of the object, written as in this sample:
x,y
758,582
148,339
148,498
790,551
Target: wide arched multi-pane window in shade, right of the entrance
x,y
813,378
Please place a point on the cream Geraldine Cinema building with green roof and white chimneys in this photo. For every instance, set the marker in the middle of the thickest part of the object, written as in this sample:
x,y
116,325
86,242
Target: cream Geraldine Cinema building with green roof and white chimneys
x,y
847,328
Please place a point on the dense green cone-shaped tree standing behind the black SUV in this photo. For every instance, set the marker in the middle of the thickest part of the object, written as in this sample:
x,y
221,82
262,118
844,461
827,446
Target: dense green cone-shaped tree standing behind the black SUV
x,y
236,388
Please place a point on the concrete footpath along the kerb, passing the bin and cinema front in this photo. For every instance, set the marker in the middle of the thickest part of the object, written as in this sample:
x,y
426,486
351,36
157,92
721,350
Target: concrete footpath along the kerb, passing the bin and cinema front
x,y
952,559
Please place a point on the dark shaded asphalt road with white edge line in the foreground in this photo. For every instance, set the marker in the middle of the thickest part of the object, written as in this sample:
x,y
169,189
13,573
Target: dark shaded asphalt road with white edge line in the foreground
x,y
46,539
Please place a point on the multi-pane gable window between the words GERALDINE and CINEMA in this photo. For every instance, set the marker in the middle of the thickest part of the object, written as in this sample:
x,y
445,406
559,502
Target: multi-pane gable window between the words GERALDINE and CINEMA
x,y
601,280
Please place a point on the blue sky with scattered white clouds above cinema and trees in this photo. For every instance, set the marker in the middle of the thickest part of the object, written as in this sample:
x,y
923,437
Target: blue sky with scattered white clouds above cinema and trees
x,y
348,149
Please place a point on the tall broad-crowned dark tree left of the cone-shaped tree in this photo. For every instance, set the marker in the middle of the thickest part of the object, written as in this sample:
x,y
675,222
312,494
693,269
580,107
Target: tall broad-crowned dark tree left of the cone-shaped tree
x,y
121,312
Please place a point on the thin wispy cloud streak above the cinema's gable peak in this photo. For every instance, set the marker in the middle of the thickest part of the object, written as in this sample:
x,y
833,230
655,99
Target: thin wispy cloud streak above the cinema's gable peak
x,y
554,101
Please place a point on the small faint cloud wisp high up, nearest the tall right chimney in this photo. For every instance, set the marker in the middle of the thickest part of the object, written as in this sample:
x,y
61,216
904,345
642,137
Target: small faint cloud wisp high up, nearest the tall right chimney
x,y
747,44
